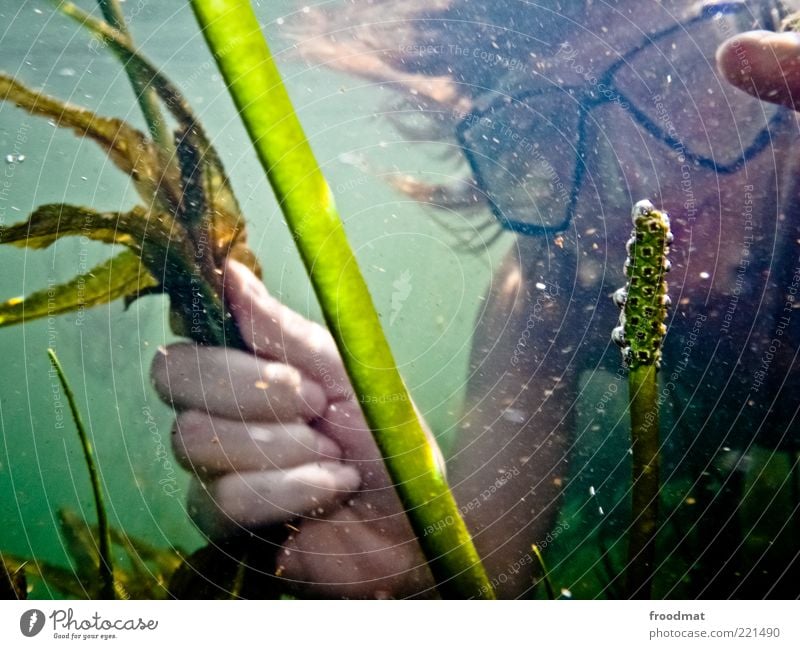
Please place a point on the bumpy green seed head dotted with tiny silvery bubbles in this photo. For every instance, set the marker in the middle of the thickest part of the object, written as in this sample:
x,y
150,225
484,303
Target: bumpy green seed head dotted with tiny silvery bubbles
x,y
644,300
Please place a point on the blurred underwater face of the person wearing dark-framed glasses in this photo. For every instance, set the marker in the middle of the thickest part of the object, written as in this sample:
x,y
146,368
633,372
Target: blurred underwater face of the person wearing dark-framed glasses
x,y
622,106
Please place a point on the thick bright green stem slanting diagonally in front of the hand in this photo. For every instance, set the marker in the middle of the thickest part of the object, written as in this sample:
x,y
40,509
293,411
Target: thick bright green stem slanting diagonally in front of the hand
x,y
234,36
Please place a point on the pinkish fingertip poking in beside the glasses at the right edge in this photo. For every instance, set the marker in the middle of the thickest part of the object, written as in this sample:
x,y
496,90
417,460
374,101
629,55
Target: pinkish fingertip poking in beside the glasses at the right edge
x,y
764,64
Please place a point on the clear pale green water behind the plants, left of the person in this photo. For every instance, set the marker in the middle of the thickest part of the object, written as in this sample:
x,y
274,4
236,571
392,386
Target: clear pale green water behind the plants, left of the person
x,y
107,351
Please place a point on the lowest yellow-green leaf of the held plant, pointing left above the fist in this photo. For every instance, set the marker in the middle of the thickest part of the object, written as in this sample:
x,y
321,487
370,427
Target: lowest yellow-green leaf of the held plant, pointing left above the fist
x,y
121,276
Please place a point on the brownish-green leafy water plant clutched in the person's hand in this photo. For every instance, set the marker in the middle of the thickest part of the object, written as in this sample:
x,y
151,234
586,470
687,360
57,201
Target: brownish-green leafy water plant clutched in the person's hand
x,y
179,238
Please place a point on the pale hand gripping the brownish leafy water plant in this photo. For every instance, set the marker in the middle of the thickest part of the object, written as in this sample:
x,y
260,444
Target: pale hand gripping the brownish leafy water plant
x,y
277,437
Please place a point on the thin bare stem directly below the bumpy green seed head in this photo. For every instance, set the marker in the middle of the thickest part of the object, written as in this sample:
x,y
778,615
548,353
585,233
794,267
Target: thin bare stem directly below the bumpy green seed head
x,y
643,395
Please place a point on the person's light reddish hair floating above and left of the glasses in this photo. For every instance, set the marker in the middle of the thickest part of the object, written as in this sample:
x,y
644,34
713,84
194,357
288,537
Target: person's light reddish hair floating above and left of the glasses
x,y
427,50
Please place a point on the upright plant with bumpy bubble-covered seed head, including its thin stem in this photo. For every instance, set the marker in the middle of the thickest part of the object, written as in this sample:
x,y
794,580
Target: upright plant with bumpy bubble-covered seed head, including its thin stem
x,y
640,332
